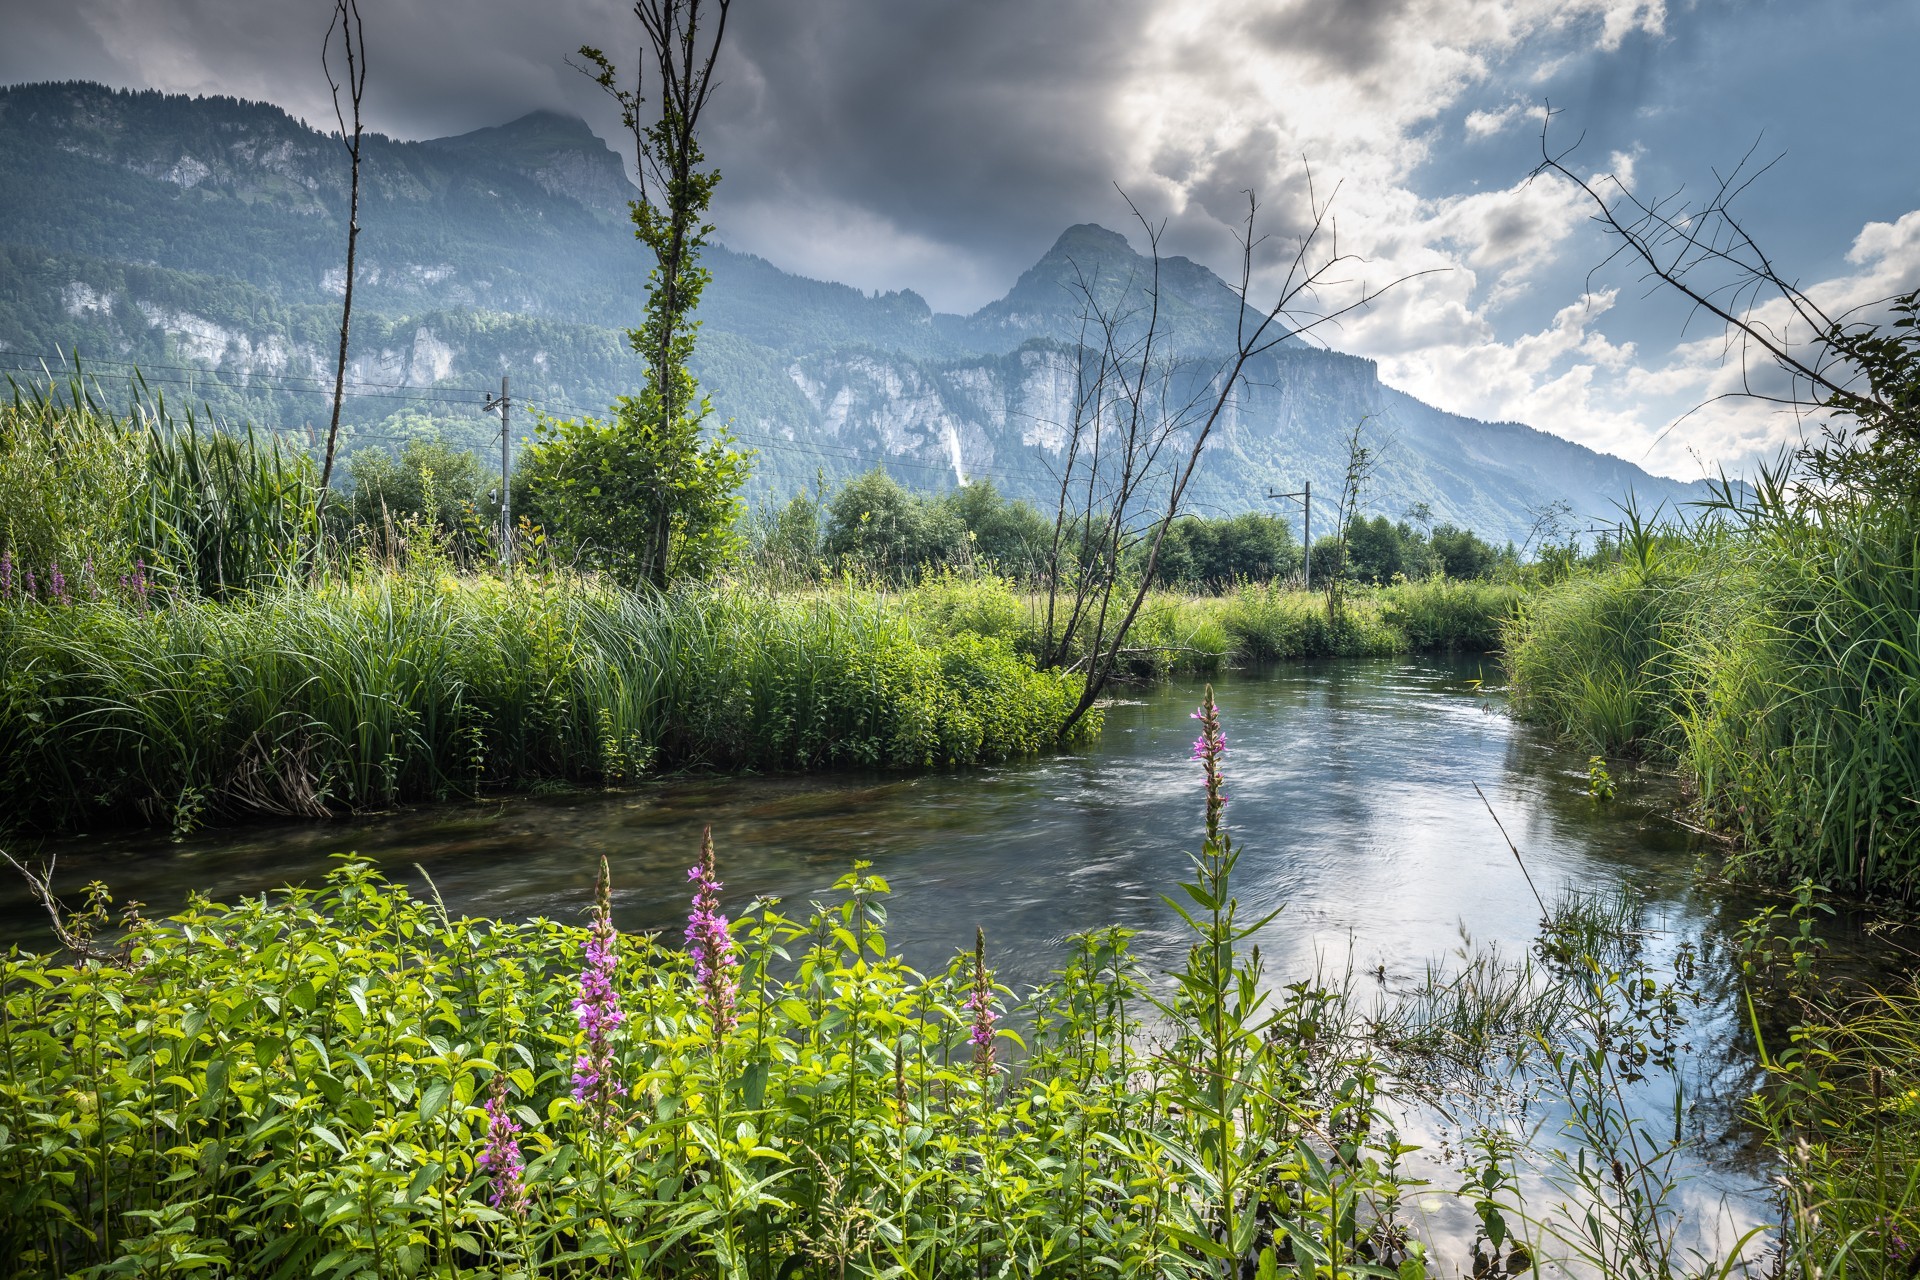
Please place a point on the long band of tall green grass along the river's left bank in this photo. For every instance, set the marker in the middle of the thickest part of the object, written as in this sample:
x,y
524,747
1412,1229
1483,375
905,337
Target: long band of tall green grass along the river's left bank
x,y
398,686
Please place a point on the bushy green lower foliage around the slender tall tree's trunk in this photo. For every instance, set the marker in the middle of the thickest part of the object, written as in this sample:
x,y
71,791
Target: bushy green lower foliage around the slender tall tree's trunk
x,y
640,496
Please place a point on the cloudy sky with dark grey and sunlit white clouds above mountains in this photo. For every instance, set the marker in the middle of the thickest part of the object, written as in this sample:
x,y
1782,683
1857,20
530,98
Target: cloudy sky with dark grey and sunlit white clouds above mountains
x,y
944,145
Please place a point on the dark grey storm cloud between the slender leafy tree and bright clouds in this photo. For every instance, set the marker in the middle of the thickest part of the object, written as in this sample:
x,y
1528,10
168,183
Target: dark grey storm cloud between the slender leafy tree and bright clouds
x,y
984,126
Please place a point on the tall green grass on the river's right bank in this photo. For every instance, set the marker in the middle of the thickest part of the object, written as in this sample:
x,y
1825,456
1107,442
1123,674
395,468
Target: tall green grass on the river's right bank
x,y
1775,655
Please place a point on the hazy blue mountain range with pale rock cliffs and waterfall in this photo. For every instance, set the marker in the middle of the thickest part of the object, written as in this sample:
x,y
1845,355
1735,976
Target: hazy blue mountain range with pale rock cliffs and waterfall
x,y
203,239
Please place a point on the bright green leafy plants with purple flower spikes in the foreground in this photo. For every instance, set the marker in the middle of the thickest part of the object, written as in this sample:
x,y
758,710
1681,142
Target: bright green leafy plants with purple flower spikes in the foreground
x,y
310,1085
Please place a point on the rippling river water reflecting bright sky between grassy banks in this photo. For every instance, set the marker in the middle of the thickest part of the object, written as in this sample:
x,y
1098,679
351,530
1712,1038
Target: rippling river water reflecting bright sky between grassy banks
x,y
1353,794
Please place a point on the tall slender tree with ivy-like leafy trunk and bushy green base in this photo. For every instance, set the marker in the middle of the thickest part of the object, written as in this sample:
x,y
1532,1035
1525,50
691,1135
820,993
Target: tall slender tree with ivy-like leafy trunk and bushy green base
x,y
646,492
